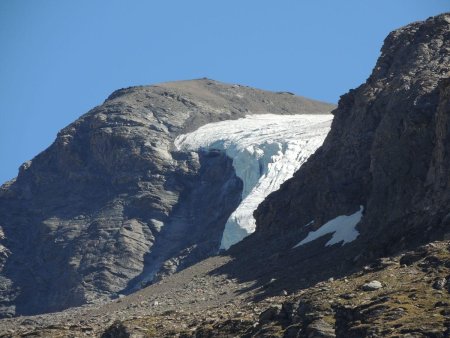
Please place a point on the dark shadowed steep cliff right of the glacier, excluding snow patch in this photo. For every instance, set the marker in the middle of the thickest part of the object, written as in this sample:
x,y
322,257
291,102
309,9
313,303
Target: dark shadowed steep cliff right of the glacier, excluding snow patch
x,y
388,150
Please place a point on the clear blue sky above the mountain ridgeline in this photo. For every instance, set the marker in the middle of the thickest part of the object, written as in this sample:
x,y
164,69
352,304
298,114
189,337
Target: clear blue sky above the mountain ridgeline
x,y
60,58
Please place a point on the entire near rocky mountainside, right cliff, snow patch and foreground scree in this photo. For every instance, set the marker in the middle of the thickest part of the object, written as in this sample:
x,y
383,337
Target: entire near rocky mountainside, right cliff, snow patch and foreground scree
x,y
354,245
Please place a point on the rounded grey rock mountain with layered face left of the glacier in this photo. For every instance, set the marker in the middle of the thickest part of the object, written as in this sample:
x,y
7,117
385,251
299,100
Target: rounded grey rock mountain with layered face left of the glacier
x,y
110,203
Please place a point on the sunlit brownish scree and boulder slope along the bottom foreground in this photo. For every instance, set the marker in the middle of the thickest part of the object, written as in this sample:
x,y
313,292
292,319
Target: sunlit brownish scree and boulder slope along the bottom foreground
x,y
407,295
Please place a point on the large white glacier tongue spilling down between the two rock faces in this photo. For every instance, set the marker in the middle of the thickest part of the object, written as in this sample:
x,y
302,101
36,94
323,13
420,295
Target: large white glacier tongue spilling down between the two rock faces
x,y
266,150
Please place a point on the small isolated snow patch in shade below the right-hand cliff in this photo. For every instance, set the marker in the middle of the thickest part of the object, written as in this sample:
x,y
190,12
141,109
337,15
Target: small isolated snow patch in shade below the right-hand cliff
x,y
342,227
